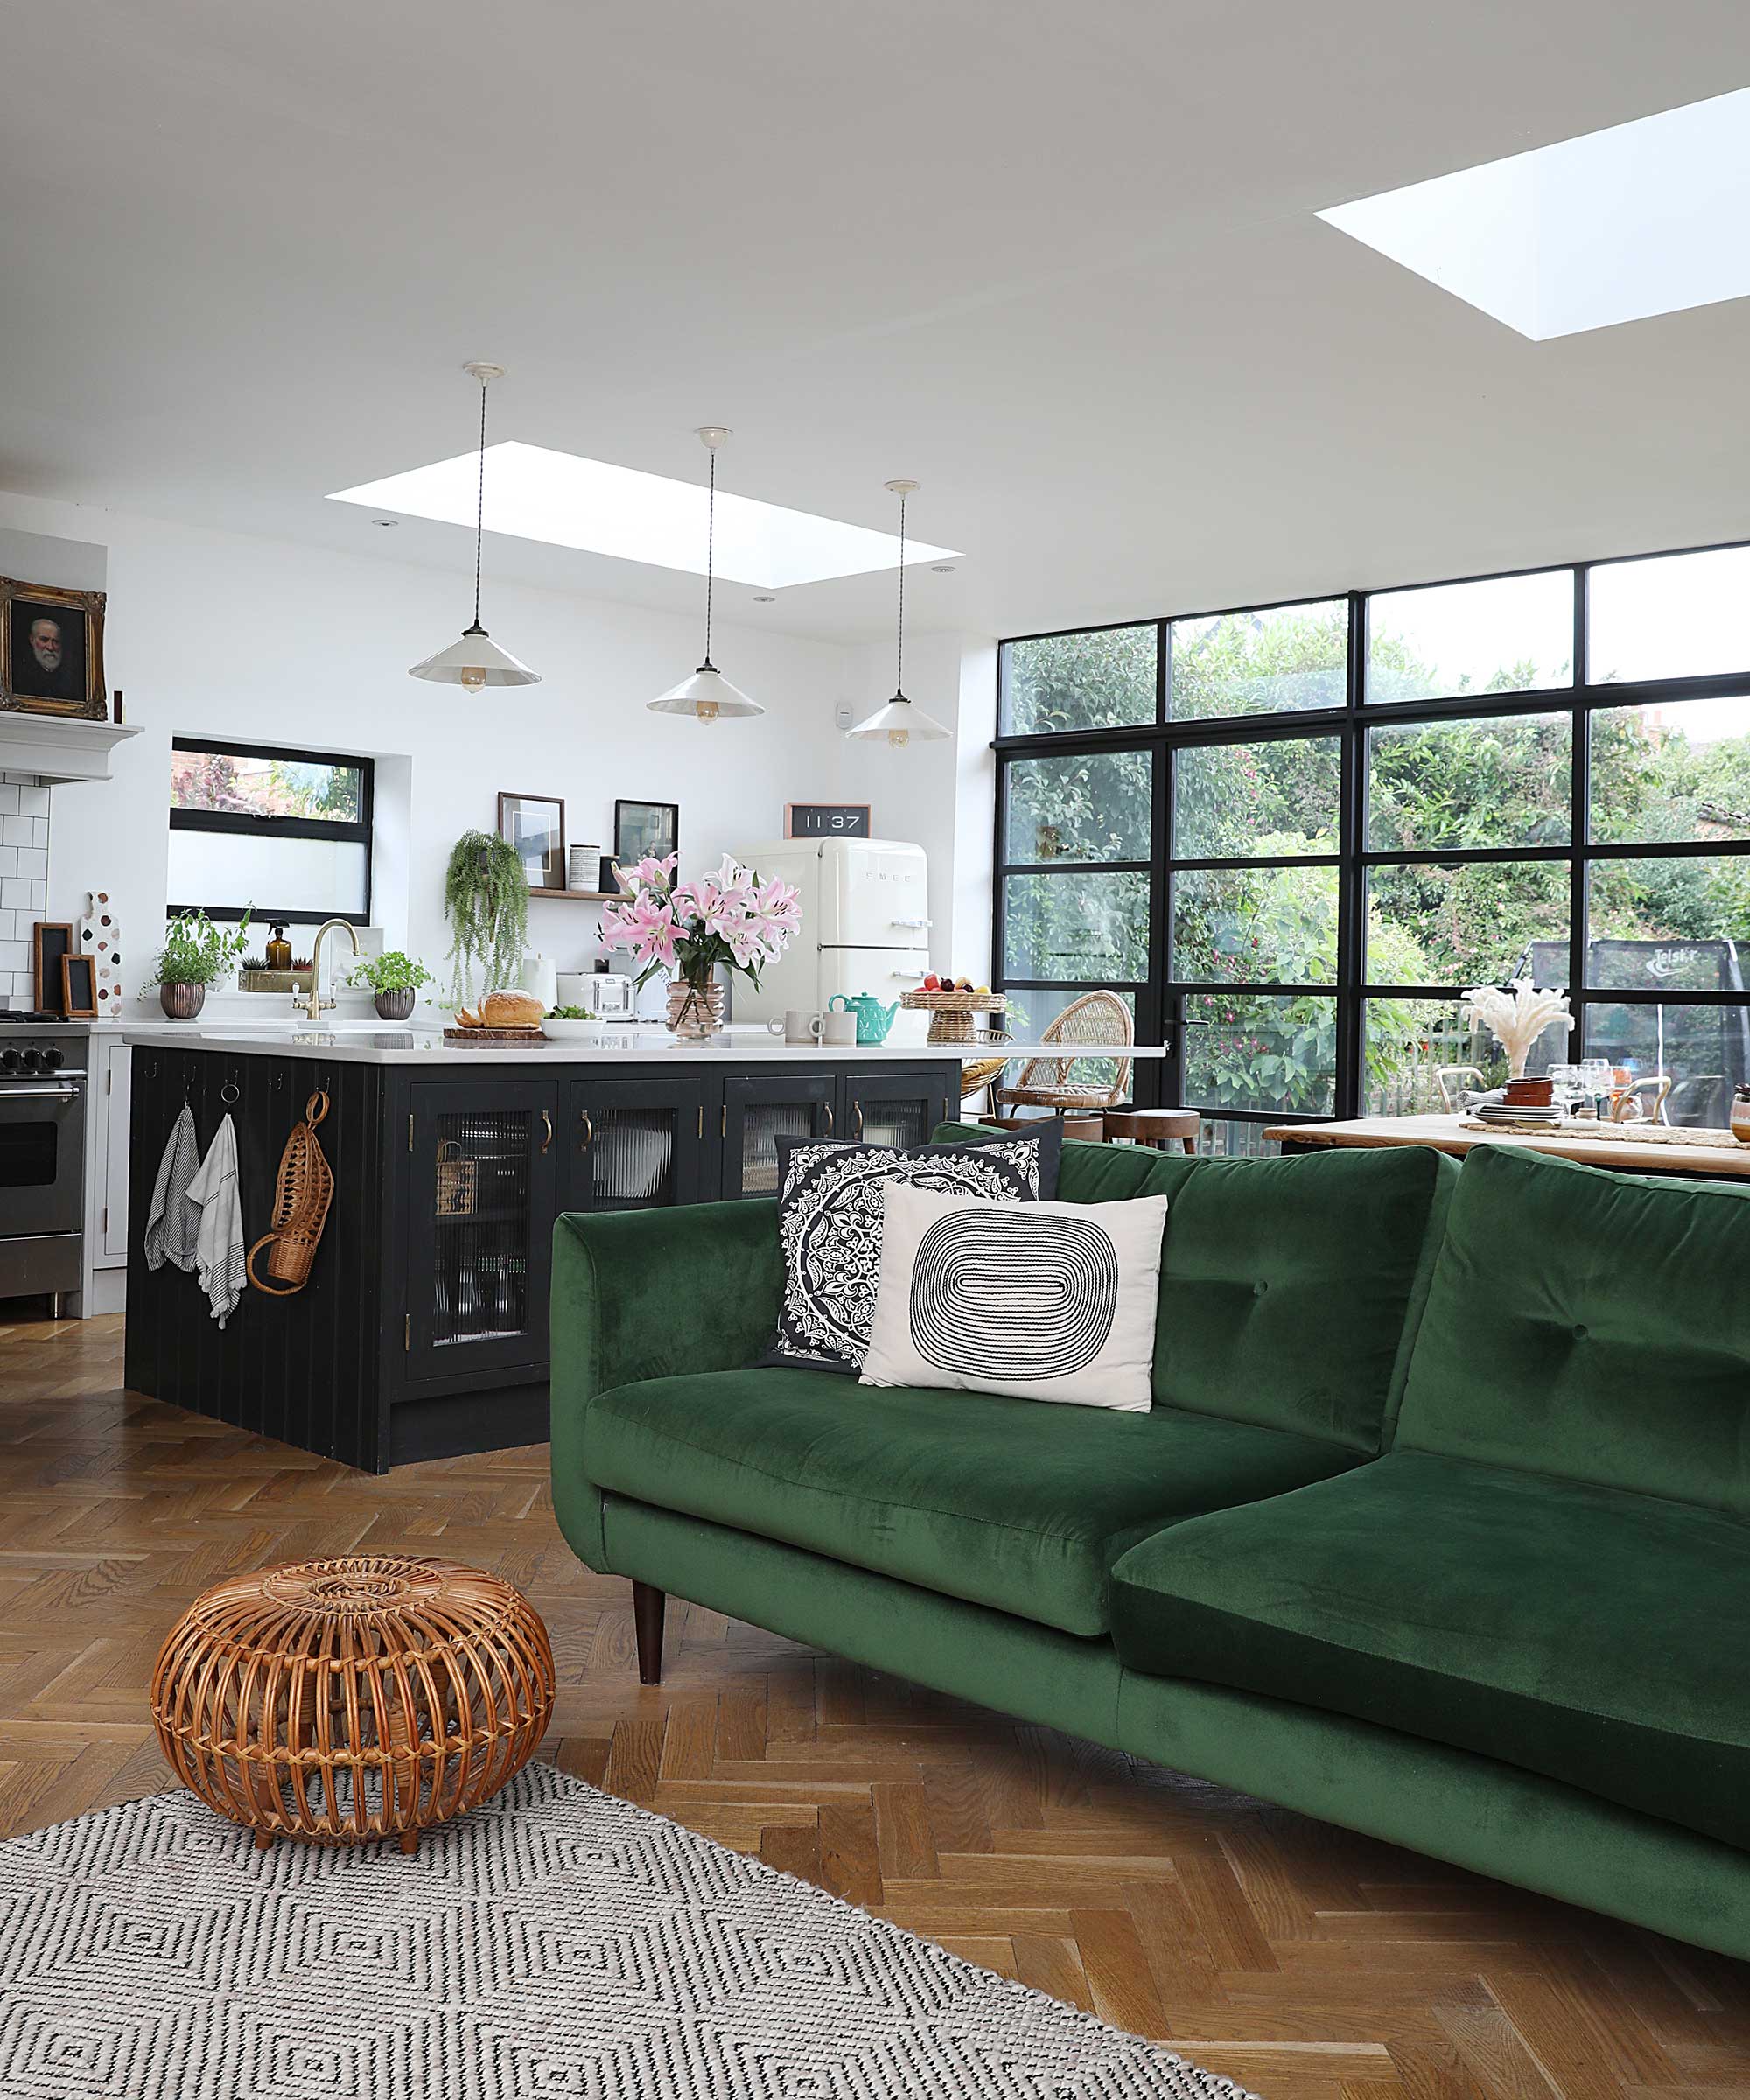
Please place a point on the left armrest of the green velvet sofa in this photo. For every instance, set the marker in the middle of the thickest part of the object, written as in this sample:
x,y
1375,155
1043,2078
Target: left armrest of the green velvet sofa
x,y
650,1295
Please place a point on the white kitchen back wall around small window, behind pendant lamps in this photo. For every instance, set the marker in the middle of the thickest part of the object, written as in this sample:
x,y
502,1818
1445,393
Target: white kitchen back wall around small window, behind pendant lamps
x,y
266,642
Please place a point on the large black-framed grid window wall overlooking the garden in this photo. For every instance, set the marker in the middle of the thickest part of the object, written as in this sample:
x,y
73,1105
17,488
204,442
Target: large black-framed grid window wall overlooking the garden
x,y
1295,835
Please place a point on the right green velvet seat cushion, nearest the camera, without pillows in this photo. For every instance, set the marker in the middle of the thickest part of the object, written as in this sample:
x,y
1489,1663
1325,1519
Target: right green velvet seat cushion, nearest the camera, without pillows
x,y
1583,1633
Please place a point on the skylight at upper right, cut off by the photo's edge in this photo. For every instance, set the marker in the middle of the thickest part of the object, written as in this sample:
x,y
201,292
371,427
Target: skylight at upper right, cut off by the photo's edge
x,y
1608,228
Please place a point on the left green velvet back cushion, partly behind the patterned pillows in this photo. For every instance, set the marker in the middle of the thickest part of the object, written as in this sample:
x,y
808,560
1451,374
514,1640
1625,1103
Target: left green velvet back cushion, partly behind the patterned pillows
x,y
1289,1288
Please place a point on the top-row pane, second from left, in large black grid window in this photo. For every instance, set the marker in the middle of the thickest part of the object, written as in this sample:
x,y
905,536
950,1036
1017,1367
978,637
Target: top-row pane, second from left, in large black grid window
x,y
1289,656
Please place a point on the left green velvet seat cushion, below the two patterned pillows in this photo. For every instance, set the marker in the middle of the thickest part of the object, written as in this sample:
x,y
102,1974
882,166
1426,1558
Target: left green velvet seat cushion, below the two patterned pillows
x,y
997,1500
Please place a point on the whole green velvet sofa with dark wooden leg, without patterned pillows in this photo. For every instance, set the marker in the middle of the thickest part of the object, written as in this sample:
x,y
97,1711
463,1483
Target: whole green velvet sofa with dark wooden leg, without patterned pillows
x,y
1440,1526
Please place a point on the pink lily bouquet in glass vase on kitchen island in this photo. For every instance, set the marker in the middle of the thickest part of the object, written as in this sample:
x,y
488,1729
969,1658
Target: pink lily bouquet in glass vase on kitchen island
x,y
728,917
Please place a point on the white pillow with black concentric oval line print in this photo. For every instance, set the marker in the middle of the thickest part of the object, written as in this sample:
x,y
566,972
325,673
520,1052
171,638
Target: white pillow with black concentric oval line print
x,y
1041,1301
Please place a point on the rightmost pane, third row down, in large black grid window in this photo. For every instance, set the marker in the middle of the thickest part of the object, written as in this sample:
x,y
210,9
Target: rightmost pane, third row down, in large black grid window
x,y
1671,925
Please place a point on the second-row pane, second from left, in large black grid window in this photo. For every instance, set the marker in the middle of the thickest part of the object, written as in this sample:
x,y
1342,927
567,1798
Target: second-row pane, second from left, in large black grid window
x,y
1268,799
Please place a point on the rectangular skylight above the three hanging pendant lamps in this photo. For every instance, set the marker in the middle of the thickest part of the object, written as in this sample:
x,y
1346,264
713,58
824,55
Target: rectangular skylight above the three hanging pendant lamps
x,y
556,497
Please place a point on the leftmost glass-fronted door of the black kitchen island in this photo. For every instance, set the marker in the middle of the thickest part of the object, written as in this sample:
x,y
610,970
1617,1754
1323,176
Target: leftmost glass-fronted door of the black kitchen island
x,y
480,1238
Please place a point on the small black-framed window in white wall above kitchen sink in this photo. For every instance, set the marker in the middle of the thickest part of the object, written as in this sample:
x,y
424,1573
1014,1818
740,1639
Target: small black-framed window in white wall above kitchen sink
x,y
283,835
